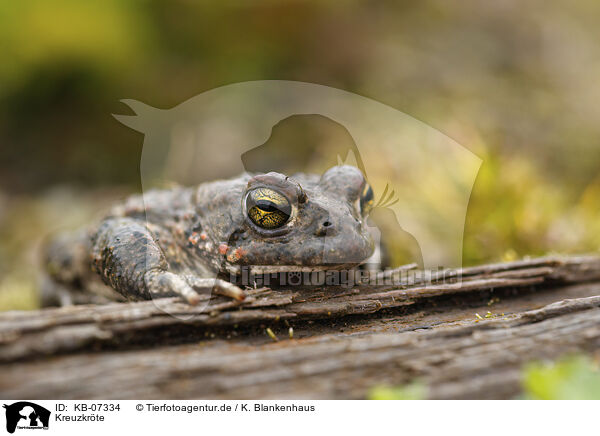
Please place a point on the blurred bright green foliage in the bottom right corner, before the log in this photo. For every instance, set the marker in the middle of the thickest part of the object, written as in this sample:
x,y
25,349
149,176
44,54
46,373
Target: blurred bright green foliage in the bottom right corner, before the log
x,y
571,378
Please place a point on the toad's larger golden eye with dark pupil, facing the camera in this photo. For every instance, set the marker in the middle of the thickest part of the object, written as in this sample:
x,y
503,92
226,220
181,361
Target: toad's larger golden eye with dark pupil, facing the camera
x,y
268,208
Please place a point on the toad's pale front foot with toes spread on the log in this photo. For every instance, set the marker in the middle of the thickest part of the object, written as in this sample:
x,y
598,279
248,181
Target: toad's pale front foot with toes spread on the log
x,y
166,284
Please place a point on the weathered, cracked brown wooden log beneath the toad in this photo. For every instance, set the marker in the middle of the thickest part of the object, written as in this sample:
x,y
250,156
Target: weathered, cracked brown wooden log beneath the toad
x,y
465,338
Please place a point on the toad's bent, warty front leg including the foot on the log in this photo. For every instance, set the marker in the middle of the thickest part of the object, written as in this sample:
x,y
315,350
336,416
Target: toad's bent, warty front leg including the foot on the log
x,y
129,259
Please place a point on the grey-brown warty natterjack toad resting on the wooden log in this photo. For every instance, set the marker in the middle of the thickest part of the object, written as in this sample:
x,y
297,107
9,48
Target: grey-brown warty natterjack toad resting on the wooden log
x,y
182,241
